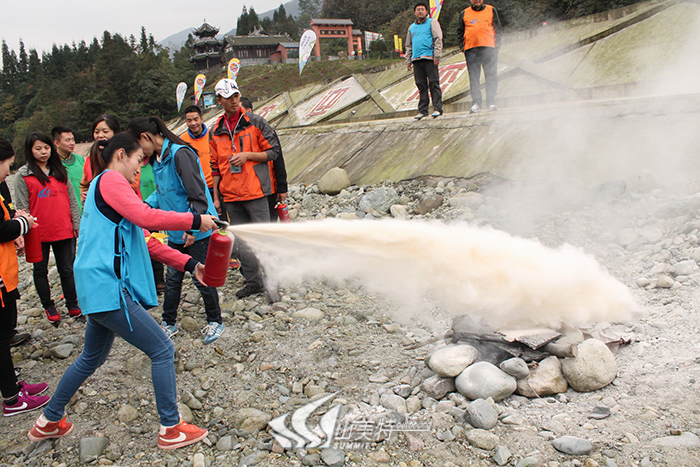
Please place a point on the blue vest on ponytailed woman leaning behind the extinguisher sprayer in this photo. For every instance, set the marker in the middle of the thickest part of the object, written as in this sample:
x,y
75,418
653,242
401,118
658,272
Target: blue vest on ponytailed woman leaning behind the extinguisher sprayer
x,y
170,192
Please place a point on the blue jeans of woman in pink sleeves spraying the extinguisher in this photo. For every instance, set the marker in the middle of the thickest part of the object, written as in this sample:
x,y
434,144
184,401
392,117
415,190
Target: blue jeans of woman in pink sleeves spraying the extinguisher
x,y
146,336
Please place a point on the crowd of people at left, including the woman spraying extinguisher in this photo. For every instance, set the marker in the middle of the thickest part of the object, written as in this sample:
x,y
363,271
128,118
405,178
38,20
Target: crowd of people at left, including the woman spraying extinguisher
x,y
113,204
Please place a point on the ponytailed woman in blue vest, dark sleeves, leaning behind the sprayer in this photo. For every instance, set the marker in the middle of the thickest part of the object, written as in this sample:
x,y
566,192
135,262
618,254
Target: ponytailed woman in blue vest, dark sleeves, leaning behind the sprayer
x,y
180,187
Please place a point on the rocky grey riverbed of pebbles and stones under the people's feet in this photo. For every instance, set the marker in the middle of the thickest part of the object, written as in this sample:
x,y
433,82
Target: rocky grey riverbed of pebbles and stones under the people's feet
x,y
333,338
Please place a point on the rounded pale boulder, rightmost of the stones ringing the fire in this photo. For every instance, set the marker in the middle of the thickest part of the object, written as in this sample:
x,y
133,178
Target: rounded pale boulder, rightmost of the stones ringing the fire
x,y
593,368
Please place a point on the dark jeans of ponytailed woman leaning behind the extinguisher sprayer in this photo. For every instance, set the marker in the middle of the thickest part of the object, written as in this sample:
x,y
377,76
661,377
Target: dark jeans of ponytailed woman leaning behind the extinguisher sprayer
x,y
173,285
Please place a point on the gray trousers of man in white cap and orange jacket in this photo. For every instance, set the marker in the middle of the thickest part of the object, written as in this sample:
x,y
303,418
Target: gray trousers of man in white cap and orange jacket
x,y
247,212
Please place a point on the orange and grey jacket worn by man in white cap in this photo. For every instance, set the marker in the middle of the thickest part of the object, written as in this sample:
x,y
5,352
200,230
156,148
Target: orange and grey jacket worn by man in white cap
x,y
251,134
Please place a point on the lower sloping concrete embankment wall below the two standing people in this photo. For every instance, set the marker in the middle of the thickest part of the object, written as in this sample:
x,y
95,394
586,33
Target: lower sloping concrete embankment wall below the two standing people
x,y
587,142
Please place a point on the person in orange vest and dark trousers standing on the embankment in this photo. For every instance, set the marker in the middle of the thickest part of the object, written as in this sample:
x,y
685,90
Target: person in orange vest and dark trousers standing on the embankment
x,y
479,29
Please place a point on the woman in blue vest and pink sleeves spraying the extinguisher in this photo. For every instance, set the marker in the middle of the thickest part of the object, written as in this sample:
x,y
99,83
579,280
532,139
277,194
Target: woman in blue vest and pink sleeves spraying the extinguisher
x,y
114,281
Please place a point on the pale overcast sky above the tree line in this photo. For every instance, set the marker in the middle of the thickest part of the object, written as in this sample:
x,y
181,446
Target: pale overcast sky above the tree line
x,y
42,23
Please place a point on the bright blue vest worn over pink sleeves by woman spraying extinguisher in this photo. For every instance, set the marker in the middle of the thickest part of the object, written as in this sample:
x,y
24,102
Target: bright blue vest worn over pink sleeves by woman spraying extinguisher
x,y
112,256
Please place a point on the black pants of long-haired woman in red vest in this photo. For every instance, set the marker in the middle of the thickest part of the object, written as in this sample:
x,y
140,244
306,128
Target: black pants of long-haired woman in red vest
x,y
64,253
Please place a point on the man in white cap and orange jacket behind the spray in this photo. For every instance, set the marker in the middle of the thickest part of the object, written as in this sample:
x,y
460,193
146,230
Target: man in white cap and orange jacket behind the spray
x,y
241,145
